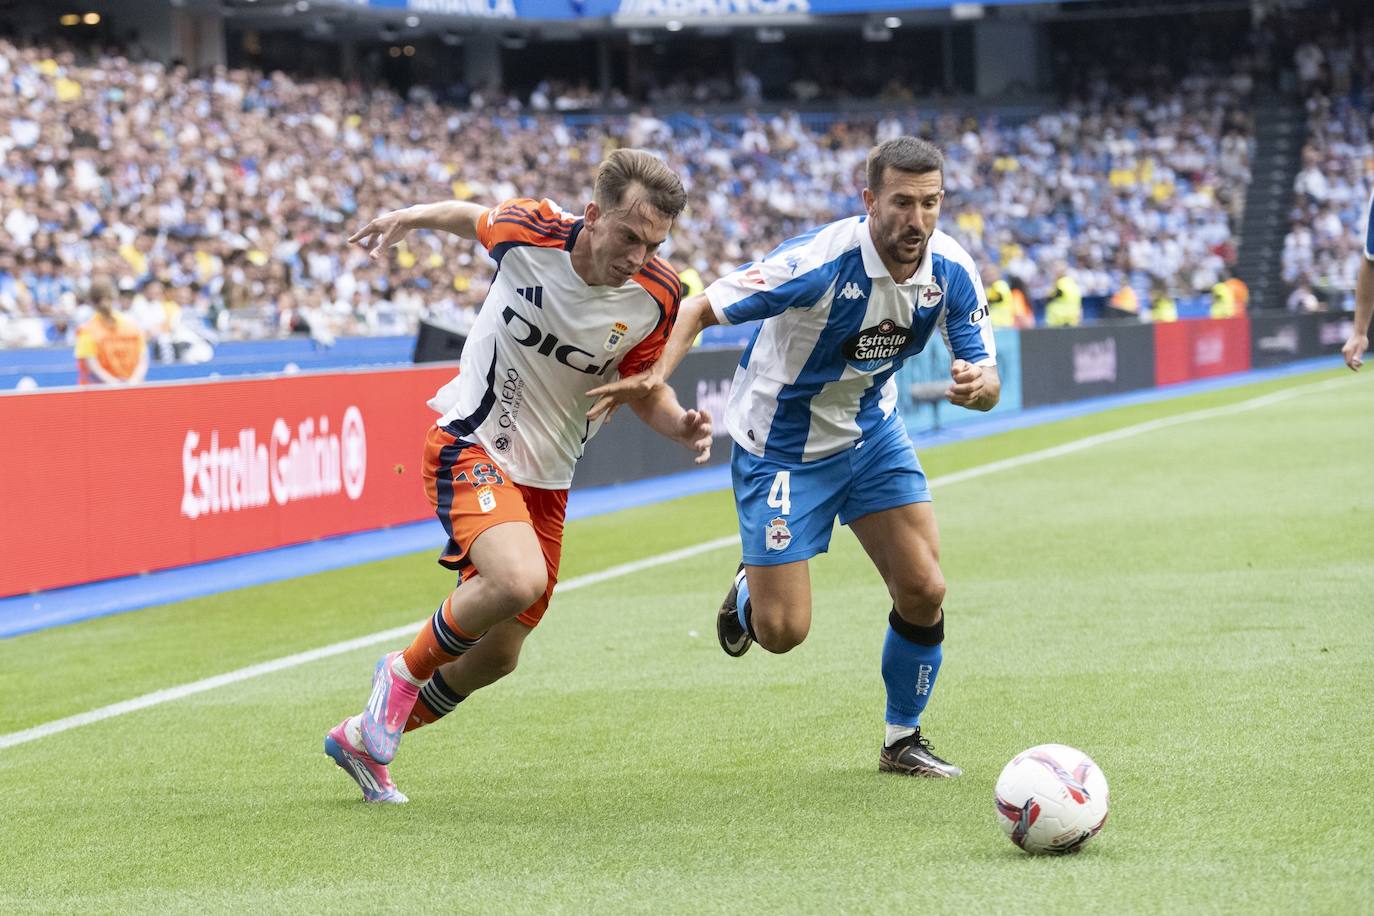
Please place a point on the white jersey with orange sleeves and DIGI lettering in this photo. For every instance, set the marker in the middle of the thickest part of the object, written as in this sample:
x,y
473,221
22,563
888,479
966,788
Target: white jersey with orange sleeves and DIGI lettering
x,y
543,339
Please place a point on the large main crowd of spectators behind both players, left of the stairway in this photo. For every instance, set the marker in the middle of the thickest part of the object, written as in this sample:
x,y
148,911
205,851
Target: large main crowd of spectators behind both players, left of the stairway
x,y
225,200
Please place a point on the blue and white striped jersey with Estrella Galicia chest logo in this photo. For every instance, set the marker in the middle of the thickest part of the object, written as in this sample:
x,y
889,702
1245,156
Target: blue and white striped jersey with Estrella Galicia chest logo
x,y
818,374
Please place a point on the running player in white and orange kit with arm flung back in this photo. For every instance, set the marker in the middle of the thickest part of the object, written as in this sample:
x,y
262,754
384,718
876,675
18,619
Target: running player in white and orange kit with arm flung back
x,y
578,300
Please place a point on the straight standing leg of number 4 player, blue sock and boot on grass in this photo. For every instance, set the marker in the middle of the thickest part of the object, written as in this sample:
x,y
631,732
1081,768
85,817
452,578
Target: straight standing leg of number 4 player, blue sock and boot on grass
x,y
905,546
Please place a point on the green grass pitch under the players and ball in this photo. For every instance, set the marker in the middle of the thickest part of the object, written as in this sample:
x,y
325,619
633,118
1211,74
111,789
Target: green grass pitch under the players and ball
x,y
1193,605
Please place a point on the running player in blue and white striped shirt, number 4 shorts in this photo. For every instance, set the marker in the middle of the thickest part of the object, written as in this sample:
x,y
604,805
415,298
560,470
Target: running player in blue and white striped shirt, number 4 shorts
x,y
817,436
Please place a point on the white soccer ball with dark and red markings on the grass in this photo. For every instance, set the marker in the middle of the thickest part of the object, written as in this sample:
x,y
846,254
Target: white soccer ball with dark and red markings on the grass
x,y
1052,799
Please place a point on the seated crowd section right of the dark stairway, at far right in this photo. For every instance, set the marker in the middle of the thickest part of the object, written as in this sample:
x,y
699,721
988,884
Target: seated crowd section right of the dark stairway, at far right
x,y
1322,251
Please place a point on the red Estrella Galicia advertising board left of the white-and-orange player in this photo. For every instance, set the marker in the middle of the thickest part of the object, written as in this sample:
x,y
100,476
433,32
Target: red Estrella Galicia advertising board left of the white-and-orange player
x,y
105,483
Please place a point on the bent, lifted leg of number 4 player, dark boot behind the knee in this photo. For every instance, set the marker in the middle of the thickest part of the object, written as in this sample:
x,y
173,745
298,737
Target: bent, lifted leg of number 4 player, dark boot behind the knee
x,y
766,605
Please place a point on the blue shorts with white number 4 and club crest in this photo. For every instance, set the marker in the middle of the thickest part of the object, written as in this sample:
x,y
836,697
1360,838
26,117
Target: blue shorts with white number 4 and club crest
x,y
788,510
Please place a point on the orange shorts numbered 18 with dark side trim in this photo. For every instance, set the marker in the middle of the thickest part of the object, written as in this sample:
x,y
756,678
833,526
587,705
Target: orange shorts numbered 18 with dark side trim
x,y
471,494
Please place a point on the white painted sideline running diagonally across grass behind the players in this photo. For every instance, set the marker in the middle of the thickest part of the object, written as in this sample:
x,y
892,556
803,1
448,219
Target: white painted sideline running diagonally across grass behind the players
x,y
627,569
